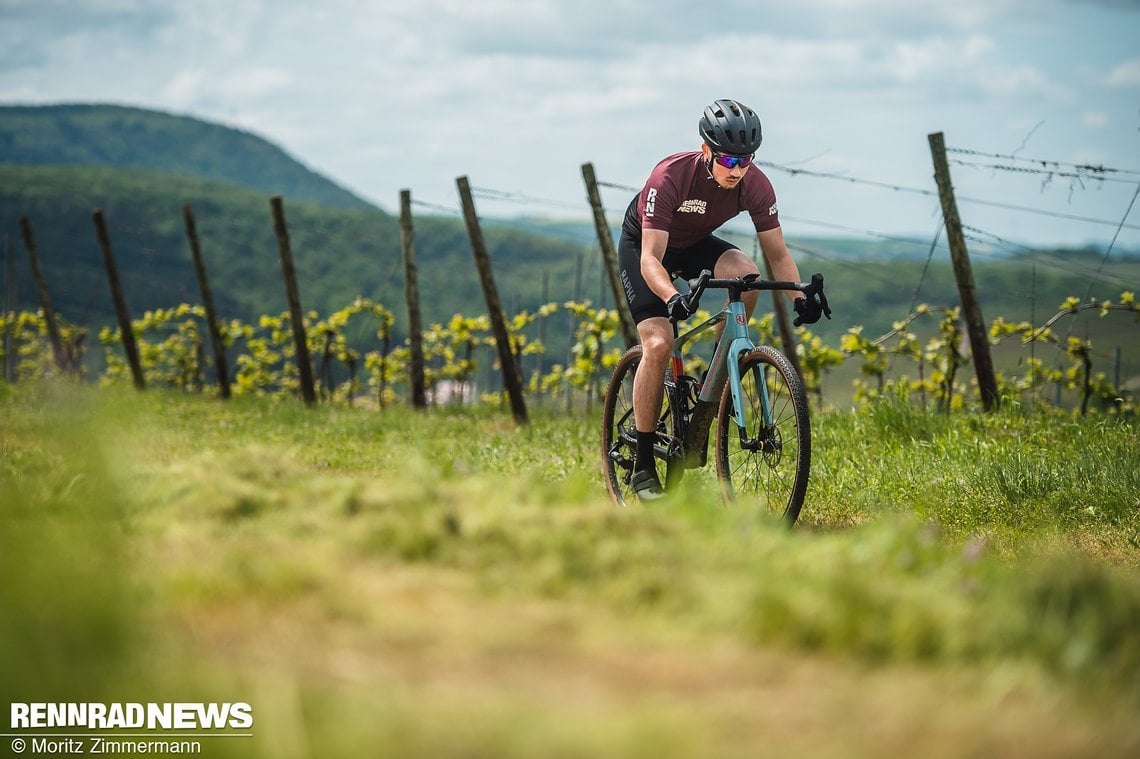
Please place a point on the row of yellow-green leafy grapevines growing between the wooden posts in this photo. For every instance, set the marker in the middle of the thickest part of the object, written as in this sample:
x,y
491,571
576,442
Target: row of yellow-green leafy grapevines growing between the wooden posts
x,y
356,361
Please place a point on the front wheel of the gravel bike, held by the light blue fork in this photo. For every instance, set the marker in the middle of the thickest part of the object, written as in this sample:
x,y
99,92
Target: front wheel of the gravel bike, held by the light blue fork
x,y
769,459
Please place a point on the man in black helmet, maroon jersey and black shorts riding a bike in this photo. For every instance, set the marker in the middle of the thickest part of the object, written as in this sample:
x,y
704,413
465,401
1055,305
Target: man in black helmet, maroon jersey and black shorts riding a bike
x,y
667,234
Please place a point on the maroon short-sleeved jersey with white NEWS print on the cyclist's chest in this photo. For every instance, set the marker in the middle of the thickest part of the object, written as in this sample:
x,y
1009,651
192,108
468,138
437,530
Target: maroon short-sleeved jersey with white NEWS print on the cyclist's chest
x,y
683,200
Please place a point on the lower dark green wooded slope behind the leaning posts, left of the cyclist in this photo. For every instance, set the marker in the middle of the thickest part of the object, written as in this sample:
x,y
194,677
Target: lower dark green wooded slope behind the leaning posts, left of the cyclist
x,y
340,254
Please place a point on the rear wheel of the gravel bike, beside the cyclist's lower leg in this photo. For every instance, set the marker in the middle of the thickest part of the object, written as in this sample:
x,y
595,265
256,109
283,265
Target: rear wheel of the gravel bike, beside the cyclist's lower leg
x,y
620,436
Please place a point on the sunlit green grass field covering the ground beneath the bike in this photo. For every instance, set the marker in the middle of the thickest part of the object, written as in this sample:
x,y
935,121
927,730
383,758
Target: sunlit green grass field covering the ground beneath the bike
x,y
451,585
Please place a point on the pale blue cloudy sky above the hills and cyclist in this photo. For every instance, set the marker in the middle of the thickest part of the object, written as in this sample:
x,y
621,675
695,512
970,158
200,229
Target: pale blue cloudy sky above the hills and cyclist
x,y
382,96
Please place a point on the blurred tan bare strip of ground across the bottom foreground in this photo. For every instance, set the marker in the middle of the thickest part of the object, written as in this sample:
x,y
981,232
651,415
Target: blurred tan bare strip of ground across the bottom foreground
x,y
421,664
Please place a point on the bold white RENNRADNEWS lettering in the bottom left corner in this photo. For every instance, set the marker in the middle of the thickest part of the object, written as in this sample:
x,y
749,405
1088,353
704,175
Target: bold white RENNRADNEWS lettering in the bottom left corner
x,y
175,716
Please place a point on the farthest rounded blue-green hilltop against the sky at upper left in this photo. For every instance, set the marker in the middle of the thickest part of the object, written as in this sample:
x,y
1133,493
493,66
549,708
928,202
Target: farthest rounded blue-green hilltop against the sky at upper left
x,y
134,138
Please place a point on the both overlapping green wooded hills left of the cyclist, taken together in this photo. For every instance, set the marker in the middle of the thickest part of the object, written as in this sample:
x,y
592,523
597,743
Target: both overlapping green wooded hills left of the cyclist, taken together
x,y
59,164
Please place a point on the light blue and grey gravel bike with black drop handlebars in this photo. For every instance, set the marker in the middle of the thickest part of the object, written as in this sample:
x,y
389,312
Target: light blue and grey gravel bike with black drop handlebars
x,y
763,447
